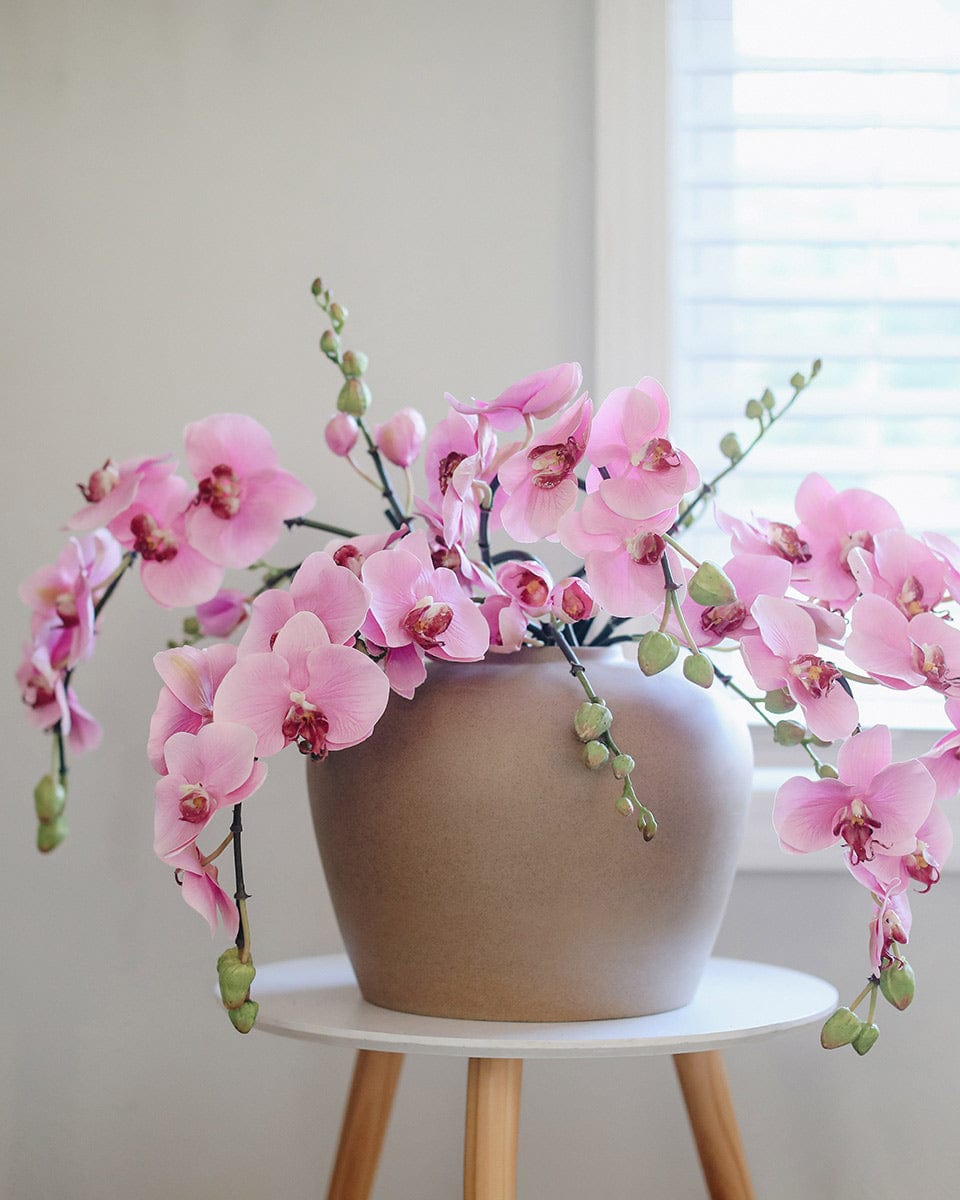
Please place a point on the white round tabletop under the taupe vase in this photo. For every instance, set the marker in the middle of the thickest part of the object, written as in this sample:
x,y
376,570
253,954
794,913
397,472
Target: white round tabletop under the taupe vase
x,y
317,999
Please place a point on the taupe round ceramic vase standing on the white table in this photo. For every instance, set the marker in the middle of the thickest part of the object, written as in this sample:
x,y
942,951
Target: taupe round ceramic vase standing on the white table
x,y
479,871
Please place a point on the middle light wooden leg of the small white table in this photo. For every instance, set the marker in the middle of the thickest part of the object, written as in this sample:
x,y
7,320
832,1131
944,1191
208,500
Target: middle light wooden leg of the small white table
x,y
490,1145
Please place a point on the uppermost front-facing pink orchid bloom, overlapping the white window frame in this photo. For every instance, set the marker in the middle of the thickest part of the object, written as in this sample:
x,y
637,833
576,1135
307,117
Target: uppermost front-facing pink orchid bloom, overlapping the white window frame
x,y
629,442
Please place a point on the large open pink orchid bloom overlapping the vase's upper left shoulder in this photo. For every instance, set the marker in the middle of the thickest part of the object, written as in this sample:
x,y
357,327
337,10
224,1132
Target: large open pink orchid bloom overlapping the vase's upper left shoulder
x,y
305,692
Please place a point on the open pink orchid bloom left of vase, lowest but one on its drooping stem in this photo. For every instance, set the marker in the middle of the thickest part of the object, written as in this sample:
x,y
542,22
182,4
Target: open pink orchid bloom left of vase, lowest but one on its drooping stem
x,y
207,771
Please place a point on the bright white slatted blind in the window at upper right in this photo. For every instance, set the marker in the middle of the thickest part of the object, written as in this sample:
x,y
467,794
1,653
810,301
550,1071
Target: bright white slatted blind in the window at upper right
x,y
817,214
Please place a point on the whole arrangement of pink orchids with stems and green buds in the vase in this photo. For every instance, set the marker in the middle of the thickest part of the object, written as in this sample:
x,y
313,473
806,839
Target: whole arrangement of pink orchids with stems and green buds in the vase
x,y
309,656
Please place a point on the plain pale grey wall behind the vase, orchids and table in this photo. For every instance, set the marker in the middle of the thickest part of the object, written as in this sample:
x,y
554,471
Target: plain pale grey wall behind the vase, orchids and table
x,y
177,176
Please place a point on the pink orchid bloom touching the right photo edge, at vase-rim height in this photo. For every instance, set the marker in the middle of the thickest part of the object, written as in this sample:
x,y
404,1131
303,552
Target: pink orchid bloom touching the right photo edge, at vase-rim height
x,y
904,653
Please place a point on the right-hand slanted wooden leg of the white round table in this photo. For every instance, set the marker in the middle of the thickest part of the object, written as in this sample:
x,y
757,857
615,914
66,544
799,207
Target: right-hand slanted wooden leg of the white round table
x,y
704,1082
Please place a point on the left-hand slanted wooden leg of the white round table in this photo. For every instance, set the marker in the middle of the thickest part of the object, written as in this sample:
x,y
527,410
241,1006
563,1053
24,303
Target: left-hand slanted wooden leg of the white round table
x,y
365,1119
